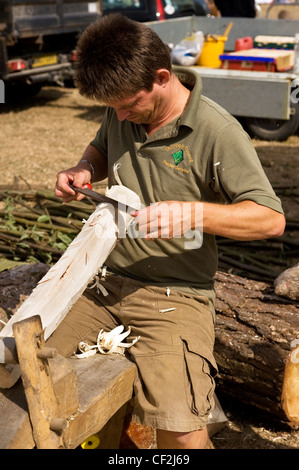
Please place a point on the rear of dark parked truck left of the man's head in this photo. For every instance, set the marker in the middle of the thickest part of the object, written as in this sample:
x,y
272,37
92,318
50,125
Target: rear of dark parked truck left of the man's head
x,y
38,40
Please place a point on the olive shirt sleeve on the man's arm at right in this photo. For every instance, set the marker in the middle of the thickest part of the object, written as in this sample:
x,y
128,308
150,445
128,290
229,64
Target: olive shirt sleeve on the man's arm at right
x,y
237,171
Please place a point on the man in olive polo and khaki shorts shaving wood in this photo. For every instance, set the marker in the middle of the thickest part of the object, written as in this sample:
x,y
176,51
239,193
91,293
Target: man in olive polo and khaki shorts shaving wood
x,y
196,172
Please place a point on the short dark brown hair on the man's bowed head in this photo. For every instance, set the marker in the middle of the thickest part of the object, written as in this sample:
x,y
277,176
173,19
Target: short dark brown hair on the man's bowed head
x,y
117,57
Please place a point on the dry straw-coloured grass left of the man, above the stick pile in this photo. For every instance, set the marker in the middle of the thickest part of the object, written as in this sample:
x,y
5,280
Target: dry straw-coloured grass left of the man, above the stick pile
x,y
40,138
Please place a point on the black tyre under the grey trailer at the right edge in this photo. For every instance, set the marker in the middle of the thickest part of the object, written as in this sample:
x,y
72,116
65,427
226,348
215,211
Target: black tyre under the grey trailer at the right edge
x,y
274,129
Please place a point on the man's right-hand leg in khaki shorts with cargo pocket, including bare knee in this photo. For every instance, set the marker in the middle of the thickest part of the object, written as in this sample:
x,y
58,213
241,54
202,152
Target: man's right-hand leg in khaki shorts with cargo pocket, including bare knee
x,y
175,384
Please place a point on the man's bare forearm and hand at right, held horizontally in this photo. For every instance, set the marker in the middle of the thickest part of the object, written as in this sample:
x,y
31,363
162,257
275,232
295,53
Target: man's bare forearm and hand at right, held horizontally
x,y
245,220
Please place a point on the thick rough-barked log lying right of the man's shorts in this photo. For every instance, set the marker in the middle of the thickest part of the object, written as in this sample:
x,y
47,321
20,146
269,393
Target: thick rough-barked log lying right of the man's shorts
x,y
257,333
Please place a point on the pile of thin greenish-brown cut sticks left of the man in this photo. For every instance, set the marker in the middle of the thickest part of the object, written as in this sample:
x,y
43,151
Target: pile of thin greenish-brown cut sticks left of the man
x,y
37,226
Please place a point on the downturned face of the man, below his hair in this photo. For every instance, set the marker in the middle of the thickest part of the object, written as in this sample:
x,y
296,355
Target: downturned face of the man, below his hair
x,y
141,108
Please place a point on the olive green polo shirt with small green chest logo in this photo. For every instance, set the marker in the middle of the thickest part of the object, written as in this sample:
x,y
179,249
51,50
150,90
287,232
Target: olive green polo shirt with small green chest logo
x,y
203,156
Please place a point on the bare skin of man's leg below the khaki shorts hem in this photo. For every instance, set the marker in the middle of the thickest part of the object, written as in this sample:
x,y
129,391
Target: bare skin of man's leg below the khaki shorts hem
x,y
182,440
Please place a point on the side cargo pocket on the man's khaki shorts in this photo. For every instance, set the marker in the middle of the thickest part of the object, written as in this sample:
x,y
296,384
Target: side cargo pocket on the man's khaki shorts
x,y
201,368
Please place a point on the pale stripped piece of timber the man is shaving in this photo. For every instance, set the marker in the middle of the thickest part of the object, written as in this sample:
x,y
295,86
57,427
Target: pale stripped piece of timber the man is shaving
x,y
70,276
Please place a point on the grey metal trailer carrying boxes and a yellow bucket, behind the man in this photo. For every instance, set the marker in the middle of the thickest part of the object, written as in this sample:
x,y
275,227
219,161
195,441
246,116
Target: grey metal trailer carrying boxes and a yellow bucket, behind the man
x,y
265,102
